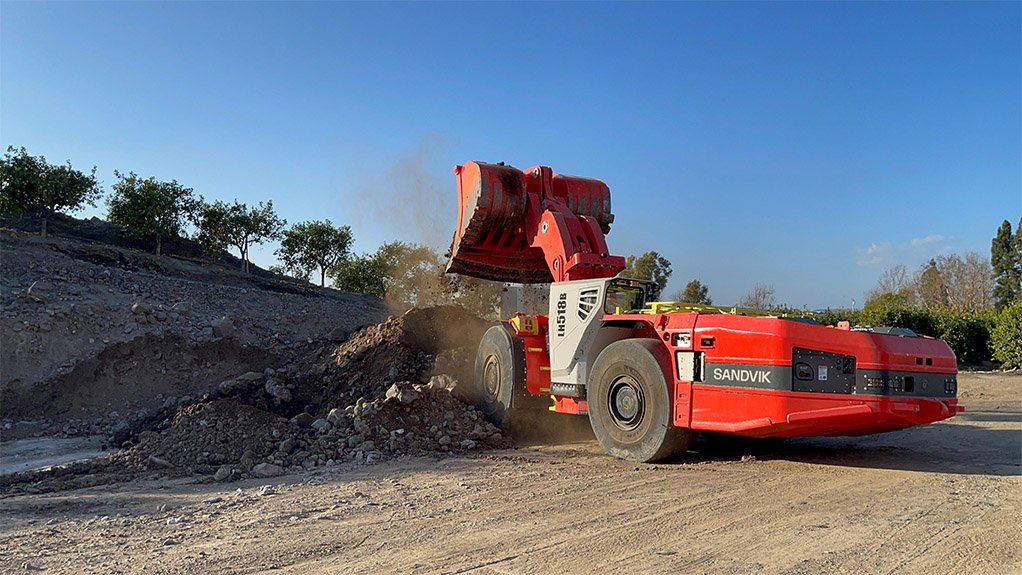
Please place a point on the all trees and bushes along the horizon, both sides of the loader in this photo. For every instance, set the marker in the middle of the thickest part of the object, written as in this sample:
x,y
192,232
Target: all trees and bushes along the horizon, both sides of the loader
x,y
973,303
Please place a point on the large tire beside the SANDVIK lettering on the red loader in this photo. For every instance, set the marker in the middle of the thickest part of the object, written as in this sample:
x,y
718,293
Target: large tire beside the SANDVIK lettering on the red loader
x,y
629,404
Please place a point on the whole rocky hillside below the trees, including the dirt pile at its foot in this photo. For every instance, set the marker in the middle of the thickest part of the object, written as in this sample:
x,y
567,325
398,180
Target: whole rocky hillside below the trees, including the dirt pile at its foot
x,y
185,368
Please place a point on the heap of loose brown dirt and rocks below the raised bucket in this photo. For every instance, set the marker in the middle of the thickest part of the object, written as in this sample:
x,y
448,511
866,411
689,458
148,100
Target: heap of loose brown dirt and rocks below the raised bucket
x,y
378,396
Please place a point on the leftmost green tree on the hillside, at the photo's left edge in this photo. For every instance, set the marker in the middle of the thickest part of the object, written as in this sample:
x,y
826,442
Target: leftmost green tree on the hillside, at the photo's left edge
x,y
31,186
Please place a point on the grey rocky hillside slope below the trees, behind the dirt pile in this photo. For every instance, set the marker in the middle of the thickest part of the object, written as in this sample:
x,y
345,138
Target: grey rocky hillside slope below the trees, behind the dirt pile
x,y
95,336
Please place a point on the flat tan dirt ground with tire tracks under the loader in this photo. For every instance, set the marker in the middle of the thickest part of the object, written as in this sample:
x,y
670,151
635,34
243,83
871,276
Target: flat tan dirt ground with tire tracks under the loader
x,y
941,499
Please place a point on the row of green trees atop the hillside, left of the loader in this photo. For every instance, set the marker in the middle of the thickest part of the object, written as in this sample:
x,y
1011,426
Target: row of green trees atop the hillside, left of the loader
x,y
404,275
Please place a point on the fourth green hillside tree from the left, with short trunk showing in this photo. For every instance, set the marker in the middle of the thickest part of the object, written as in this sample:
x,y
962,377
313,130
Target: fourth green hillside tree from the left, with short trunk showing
x,y
314,246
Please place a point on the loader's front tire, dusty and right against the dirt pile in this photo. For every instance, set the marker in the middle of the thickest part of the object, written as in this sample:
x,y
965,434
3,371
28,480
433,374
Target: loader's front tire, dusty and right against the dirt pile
x,y
500,369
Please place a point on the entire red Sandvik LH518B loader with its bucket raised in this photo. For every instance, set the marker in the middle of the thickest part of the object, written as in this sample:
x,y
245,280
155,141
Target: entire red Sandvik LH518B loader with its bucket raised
x,y
652,375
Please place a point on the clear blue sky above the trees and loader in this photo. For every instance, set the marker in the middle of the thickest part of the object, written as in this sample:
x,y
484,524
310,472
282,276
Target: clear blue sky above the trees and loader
x,y
805,146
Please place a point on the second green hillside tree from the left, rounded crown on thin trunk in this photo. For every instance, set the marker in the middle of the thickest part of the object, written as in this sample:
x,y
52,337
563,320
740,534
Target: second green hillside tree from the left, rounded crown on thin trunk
x,y
149,209
